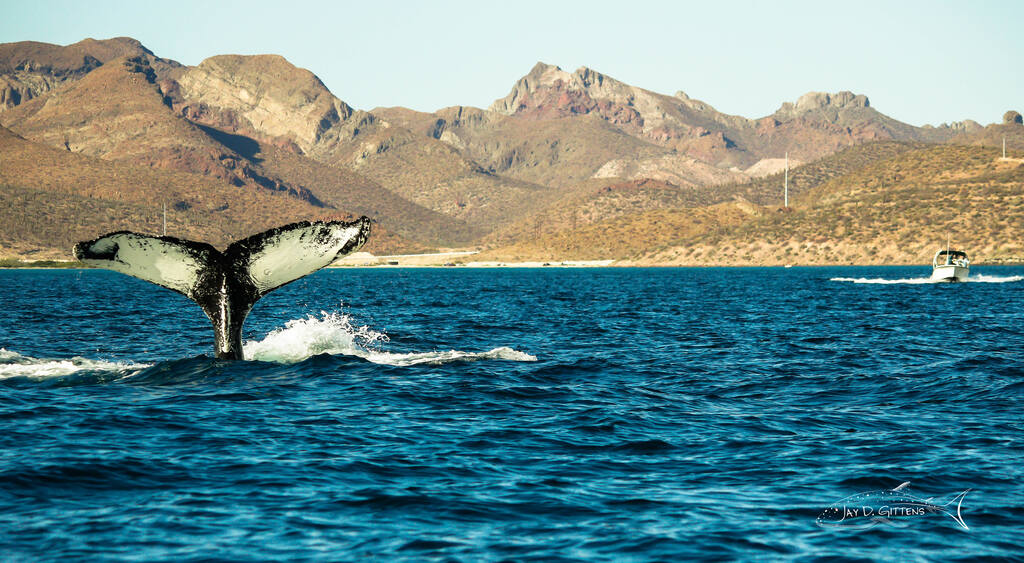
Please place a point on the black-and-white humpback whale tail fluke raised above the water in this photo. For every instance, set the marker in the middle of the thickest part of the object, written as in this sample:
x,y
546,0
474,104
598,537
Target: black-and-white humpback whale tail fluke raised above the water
x,y
227,285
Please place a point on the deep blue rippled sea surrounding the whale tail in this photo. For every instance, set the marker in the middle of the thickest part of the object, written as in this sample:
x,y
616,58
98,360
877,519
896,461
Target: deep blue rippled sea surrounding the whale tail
x,y
489,415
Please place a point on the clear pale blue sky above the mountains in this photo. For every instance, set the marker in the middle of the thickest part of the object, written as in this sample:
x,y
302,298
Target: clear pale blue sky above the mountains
x,y
919,62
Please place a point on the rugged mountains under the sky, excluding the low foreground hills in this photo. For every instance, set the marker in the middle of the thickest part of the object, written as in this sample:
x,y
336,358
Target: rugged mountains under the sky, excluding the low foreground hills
x,y
454,178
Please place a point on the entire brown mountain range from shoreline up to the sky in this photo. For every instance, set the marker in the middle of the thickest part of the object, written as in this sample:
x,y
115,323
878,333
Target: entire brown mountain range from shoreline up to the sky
x,y
105,136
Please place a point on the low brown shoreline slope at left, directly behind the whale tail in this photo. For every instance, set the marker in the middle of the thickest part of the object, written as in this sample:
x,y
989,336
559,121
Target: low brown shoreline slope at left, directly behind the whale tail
x,y
53,198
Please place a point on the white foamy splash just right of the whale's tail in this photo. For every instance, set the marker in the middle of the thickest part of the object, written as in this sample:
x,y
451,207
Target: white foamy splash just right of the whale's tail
x,y
334,334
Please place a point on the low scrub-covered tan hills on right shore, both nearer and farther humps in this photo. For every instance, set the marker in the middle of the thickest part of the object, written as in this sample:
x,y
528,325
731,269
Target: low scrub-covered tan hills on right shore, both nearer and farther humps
x,y
887,204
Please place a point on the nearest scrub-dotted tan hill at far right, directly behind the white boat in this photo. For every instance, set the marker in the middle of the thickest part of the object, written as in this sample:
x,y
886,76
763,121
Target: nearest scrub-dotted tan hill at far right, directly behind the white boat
x,y
894,211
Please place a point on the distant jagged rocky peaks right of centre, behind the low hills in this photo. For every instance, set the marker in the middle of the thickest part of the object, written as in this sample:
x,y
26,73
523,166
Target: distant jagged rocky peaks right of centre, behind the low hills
x,y
558,128
